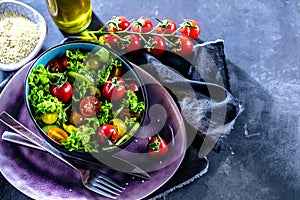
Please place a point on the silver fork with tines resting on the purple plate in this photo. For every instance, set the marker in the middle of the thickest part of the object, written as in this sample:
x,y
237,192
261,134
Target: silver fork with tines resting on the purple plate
x,y
91,179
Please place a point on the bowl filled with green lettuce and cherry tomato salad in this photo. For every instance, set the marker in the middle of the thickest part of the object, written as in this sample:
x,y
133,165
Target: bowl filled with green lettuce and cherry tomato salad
x,y
84,98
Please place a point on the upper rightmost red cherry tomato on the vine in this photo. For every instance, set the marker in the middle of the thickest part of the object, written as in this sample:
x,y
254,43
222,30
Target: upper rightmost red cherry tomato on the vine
x,y
190,28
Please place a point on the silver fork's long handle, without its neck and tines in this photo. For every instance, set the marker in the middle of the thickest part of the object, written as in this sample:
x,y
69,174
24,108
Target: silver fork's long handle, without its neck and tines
x,y
22,130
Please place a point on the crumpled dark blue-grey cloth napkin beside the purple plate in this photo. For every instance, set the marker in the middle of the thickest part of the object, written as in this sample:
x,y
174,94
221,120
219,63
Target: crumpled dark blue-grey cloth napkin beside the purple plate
x,y
200,87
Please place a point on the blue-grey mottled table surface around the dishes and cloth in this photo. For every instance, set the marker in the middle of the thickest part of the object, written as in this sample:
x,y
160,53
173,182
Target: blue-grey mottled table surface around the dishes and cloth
x,y
261,157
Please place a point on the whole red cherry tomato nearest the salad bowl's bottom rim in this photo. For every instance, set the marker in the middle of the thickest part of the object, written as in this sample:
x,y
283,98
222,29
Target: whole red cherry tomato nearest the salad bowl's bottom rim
x,y
107,130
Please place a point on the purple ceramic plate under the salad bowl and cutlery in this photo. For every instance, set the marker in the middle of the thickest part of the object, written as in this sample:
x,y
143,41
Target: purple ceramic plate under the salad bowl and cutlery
x,y
41,176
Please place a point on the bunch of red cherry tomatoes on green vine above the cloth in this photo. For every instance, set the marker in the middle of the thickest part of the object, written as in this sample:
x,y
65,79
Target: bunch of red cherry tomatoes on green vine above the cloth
x,y
123,30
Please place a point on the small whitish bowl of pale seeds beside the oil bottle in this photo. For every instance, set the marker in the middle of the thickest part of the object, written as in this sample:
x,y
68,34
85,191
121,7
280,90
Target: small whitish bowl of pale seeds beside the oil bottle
x,y
22,34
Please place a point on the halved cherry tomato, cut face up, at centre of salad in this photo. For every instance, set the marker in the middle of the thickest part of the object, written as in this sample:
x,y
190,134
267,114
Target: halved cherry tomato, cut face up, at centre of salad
x,y
89,106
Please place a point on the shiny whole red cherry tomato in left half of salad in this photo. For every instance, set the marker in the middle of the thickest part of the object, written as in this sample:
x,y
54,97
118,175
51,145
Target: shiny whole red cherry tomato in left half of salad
x,y
63,93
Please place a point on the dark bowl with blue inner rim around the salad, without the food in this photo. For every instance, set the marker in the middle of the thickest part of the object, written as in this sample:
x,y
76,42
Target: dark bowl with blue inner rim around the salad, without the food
x,y
58,51
